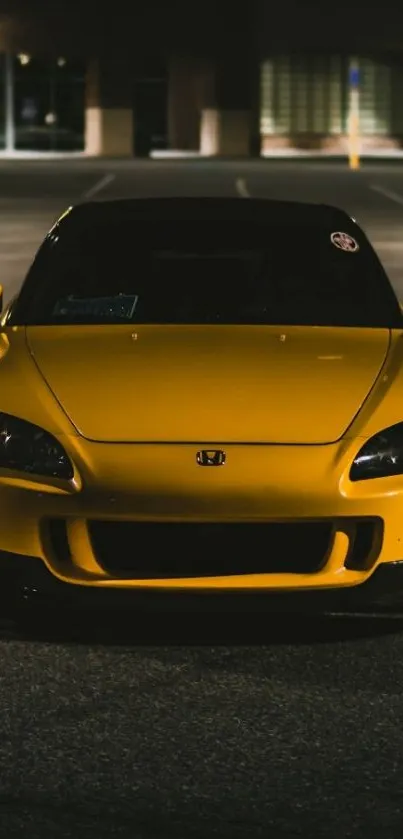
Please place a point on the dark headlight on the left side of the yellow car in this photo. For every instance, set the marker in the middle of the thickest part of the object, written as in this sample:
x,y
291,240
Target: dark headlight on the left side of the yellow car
x,y
28,448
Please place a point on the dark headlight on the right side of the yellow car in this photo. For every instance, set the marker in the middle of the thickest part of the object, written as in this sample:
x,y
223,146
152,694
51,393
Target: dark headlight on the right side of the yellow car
x,y
381,456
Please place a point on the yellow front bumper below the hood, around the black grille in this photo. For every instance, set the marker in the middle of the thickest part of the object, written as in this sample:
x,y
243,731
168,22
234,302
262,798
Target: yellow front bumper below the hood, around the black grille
x,y
64,529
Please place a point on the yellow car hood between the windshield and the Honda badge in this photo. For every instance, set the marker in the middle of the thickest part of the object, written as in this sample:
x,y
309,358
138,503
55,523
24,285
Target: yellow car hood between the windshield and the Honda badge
x,y
252,384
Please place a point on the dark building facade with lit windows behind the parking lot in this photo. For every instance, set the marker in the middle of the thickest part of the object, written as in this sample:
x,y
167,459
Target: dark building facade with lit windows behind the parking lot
x,y
212,78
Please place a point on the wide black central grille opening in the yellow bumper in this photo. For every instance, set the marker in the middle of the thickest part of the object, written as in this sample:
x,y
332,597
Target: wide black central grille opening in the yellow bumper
x,y
147,550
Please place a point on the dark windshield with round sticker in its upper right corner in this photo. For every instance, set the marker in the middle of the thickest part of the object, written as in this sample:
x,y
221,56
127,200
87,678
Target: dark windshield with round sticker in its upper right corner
x,y
200,273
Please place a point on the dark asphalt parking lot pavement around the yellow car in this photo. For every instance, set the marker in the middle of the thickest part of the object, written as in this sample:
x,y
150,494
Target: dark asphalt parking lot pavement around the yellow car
x,y
199,727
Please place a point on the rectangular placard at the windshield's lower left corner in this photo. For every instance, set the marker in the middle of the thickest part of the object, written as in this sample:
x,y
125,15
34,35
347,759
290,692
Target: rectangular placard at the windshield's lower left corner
x,y
120,306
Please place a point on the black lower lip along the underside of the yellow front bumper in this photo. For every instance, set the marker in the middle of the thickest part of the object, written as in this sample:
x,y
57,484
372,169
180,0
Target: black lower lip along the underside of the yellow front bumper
x,y
27,580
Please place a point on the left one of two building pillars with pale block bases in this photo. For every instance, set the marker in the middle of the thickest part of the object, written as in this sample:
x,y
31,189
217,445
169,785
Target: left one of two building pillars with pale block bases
x,y
109,109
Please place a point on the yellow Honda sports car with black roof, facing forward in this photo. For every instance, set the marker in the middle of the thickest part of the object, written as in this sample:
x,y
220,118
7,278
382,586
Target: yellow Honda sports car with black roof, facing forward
x,y
203,396
